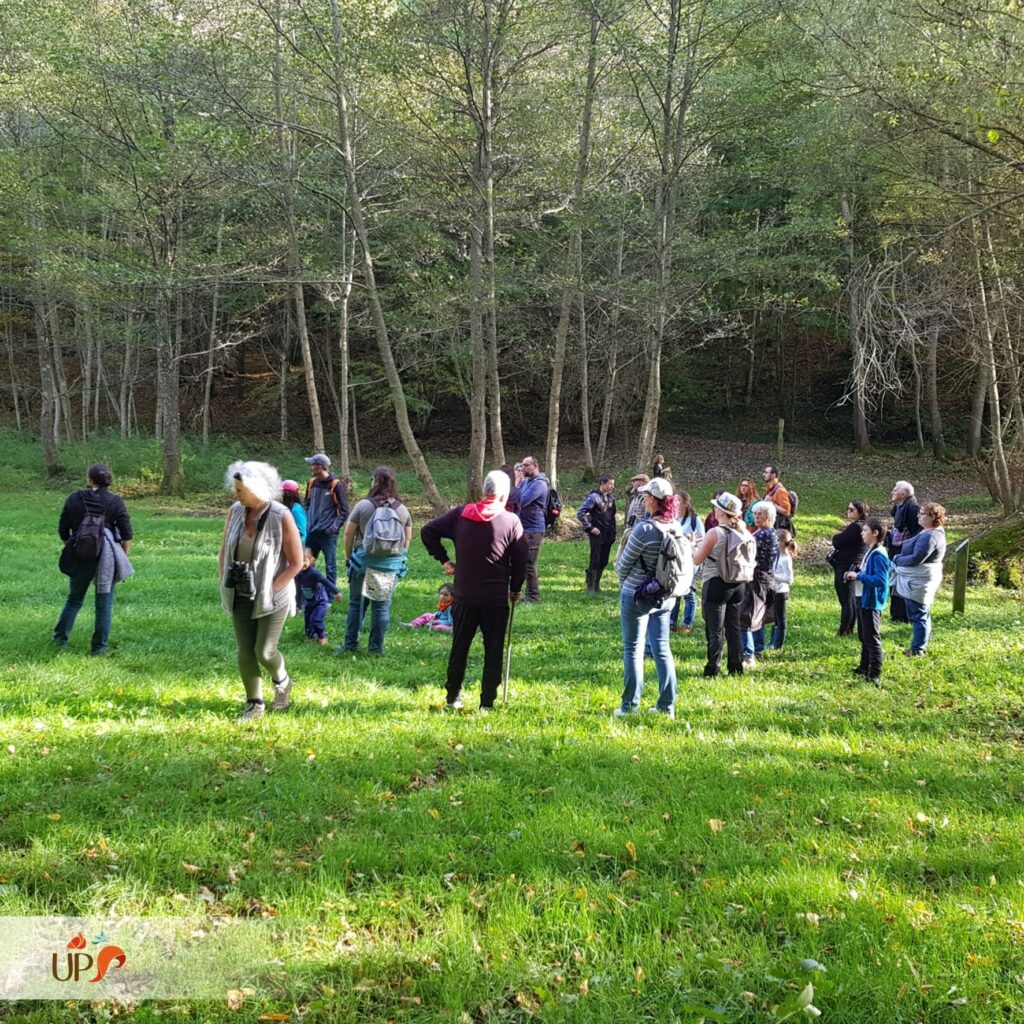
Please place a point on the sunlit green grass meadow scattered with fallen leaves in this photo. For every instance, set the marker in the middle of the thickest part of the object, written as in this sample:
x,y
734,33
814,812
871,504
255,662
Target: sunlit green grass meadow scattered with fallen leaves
x,y
548,862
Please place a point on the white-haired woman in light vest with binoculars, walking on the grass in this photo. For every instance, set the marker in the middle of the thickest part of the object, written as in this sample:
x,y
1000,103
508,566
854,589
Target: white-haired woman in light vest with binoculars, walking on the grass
x,y
261,556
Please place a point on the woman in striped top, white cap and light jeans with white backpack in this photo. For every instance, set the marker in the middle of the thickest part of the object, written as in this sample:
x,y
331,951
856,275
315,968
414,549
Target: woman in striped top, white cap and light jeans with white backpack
x,y
642,623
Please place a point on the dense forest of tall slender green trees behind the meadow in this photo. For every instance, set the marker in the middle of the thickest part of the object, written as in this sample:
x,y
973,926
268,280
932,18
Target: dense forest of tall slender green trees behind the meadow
x,y
436,224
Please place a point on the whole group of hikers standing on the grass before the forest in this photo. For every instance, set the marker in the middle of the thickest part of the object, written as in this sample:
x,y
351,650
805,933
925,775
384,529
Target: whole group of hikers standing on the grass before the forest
x,y
740,557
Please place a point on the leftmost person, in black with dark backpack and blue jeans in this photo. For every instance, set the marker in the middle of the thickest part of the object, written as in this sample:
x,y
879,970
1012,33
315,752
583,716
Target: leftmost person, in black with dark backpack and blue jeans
x,y
98,536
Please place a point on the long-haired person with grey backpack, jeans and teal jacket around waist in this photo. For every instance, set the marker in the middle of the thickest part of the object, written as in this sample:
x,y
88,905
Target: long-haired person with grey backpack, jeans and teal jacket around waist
x,y
377,538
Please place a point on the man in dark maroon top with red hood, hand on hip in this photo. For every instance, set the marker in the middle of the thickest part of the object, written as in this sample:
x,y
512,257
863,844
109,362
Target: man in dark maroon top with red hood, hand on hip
x,y
490,569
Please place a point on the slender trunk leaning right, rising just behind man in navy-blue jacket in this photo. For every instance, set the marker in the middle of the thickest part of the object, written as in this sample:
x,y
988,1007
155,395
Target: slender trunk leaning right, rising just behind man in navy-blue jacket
x,y
572,282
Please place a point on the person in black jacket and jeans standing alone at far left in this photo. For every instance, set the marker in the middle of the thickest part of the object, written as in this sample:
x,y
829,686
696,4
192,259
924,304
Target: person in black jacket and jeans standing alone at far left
x,y
96,500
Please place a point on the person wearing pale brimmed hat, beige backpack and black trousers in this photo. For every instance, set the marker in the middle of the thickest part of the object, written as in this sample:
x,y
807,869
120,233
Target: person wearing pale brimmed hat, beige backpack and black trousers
x,y
729,556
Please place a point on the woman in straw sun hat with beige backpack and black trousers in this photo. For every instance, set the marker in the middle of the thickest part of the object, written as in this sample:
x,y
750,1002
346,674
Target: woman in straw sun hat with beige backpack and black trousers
x,y
721,602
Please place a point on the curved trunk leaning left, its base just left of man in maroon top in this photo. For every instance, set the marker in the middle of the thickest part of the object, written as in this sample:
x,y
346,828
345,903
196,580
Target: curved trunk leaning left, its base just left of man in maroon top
x,y
420,466
